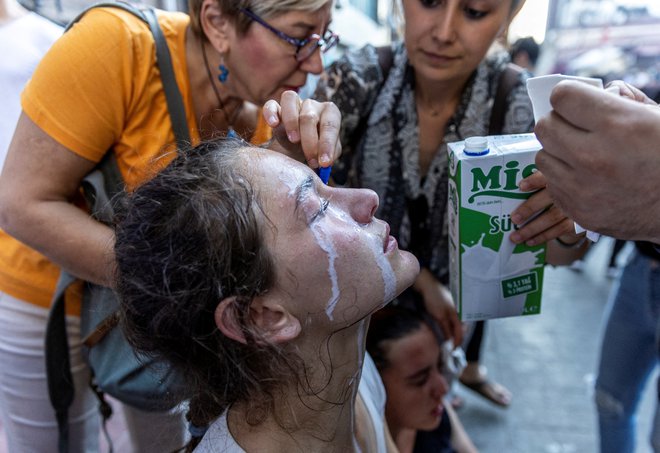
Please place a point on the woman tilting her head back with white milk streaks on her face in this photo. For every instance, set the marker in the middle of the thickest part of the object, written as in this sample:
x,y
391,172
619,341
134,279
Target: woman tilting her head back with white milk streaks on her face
x,y
257,280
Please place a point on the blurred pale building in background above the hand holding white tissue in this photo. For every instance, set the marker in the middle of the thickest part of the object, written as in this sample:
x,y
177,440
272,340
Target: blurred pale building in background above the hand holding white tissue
x,y
609,39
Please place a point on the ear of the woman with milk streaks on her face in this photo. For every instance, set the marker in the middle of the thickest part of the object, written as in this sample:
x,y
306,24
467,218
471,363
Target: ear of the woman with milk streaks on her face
x,y
268,316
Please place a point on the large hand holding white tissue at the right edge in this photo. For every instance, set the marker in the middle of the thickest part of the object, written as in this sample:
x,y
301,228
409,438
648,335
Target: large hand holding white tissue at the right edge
x,y
601,158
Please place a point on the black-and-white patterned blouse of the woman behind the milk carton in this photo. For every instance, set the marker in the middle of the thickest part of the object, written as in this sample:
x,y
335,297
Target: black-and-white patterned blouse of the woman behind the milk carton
x,y
381,144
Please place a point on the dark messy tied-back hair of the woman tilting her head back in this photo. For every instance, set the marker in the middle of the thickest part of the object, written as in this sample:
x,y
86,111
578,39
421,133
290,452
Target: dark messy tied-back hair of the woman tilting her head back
x,y
185,240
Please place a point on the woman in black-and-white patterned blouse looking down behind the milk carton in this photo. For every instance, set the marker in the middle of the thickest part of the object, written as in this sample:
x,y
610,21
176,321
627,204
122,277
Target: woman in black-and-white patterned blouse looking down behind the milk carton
x,y
397,119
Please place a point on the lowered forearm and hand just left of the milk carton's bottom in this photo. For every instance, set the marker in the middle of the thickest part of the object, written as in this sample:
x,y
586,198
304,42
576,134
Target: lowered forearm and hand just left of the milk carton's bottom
x,y
440,305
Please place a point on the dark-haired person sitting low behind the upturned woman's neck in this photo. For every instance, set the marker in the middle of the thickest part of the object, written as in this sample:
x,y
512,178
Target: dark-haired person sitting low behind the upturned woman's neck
x,y
411,363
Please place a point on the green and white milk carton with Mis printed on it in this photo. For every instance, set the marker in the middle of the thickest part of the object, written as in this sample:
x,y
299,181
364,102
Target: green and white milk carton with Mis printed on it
x,y
490,276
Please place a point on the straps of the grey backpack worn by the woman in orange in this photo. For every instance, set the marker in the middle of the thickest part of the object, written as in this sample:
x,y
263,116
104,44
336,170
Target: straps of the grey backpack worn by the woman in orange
x,y
100,187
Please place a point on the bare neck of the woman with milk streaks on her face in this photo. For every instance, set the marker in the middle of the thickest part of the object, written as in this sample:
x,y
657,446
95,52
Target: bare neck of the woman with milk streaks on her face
x,y
317,413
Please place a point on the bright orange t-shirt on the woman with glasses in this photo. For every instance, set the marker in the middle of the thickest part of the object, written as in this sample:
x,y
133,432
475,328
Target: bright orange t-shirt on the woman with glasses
x,y
99,88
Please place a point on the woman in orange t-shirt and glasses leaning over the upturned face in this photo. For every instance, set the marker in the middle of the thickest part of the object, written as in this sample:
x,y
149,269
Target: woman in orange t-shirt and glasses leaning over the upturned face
x,y
219,55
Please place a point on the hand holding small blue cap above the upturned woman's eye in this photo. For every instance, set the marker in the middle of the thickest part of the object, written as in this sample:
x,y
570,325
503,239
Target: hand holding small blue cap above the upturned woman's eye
x,y
306,129
